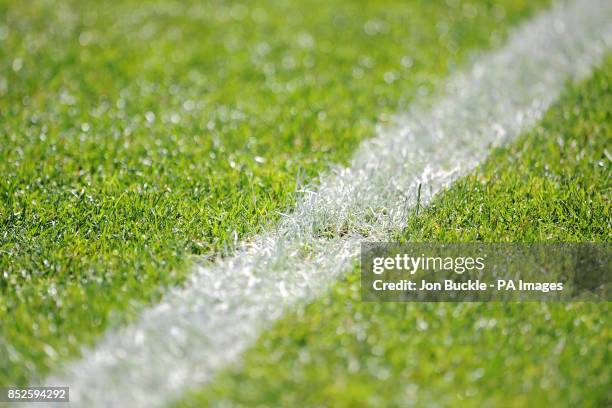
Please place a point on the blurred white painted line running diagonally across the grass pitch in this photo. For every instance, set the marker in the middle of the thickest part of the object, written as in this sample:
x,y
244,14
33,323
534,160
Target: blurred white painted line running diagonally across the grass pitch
x,y
204,326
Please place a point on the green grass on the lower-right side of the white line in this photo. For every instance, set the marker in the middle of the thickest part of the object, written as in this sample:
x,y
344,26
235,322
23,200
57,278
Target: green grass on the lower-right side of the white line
x,y
553,184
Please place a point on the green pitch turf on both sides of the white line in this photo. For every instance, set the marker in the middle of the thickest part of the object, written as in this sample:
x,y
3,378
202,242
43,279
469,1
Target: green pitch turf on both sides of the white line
x,y
139,139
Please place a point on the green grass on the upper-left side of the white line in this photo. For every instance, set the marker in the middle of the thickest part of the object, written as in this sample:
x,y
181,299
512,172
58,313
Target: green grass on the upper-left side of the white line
x,y
135,134
